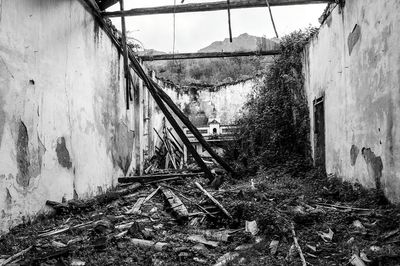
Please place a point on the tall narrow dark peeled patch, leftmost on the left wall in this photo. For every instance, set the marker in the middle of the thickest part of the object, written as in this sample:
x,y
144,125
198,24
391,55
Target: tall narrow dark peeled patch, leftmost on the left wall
x,y
23,155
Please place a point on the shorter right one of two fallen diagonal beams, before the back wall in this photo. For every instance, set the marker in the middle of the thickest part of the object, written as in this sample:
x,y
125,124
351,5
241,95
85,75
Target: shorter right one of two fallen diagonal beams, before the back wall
x,y
193,129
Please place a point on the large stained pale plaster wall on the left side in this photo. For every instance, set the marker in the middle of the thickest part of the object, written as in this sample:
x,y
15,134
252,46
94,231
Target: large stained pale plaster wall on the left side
x,y
64,129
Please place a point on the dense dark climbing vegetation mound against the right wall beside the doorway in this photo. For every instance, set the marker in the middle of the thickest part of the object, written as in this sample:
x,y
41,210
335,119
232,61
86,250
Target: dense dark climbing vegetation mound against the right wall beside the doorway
x,y
275,124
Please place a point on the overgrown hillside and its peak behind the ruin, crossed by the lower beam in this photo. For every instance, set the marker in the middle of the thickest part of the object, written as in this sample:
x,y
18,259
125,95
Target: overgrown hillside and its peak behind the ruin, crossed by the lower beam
x,y
217,70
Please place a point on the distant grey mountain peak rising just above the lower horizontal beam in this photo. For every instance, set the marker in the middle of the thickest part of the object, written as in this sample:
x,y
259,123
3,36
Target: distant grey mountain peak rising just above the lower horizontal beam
x,y
243,42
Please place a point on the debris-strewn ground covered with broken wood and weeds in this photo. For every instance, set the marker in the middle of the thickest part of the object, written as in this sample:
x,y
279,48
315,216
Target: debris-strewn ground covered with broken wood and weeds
x,y
335,223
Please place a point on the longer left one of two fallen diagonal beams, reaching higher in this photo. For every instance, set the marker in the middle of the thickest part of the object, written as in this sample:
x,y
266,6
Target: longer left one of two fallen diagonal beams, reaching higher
x,y
151,87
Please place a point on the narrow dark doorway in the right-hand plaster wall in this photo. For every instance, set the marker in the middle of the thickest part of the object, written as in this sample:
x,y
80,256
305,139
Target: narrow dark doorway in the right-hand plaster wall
x,y
319,132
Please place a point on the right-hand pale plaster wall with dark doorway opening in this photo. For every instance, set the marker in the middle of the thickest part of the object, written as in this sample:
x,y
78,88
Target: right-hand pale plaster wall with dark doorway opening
x,y
354,63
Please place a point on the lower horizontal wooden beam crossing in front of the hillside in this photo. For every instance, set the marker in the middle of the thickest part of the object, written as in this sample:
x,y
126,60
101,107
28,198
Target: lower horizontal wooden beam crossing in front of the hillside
x,y
182,56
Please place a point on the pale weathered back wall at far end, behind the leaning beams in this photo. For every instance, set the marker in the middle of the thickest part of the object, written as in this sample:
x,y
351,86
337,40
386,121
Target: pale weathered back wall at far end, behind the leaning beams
x,y
201,105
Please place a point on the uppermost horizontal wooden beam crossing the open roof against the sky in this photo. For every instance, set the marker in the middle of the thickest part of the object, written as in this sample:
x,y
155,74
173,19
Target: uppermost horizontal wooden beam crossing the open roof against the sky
x,y
211,6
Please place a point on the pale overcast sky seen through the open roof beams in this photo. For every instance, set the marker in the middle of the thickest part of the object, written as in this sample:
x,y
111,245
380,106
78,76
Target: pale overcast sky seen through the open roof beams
x,y
197,30
